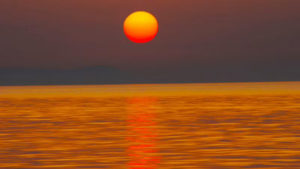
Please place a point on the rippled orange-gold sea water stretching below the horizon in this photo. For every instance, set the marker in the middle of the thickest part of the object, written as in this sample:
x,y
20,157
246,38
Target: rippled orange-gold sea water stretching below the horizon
x,y
172,126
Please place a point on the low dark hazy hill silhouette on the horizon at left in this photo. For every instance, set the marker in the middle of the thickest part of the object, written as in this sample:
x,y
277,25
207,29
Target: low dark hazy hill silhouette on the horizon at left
x,y
89,75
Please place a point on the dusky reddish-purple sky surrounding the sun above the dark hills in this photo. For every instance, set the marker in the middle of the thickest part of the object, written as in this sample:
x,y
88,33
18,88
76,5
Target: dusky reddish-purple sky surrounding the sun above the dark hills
x,y
210,40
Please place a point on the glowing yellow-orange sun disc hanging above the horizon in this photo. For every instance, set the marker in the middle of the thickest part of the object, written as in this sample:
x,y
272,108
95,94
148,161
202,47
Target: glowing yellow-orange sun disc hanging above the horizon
x,y
141,27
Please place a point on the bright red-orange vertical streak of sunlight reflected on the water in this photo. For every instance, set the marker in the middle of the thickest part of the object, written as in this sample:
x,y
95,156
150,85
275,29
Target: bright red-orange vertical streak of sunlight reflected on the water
x,y
142,134
